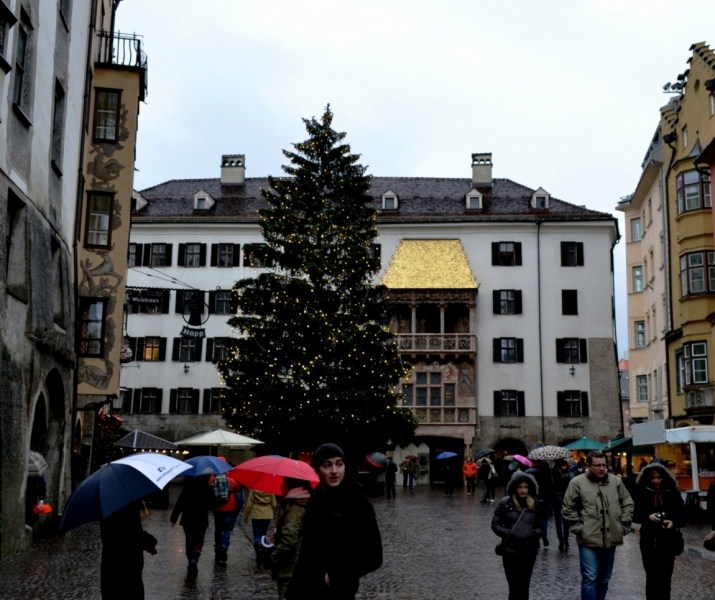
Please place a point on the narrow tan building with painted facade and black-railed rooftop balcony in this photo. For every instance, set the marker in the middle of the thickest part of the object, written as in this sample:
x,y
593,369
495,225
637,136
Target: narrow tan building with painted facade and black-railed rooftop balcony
x,y
116,86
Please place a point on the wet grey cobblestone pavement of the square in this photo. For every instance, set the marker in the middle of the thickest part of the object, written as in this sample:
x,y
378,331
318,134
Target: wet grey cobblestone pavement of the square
x,y
435,547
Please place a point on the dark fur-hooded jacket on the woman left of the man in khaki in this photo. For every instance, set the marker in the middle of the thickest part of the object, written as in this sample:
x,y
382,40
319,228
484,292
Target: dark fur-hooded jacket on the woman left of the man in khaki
x,y
521,535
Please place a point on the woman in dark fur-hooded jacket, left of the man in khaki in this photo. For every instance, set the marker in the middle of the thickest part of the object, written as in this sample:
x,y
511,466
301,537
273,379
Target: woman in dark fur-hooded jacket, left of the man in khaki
x,y
517,521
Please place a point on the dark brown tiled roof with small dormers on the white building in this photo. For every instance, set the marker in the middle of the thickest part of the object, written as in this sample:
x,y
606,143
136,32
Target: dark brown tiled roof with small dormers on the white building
x,y
420,199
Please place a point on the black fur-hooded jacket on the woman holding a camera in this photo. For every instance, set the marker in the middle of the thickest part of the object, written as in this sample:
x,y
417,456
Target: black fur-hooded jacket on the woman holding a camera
x,y
668,500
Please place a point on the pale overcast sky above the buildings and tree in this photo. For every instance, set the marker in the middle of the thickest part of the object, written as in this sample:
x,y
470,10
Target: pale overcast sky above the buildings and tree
x,y
564,93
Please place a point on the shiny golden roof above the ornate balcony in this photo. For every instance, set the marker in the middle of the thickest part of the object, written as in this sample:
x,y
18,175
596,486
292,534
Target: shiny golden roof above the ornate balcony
x,y
429,264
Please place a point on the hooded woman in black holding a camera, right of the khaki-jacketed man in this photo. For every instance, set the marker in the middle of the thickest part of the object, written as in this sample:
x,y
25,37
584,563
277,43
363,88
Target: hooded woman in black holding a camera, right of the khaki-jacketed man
x,y
659,509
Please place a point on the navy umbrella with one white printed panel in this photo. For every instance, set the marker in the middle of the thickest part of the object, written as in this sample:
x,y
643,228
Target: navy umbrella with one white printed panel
x,y
117,484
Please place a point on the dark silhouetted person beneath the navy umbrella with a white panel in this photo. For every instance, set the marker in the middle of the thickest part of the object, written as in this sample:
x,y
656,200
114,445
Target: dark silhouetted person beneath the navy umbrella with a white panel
x,y
123,543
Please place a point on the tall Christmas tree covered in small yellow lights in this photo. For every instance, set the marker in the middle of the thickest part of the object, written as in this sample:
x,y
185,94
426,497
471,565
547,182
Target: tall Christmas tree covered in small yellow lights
x,y
315,360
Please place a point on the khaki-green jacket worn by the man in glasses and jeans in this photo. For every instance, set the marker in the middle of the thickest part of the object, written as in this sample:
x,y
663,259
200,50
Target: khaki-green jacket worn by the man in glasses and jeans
x,y
598,513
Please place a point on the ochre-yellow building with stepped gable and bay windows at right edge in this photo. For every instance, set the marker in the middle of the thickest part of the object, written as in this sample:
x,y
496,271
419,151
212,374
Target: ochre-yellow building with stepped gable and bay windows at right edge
x,y
687,124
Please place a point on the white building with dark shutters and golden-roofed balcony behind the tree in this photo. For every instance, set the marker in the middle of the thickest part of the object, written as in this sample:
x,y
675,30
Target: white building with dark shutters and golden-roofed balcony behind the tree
x,y
508,320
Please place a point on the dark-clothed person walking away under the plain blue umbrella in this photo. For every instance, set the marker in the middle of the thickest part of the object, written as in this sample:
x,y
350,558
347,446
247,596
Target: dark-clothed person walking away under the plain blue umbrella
x,y
193,506
